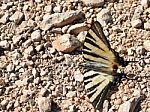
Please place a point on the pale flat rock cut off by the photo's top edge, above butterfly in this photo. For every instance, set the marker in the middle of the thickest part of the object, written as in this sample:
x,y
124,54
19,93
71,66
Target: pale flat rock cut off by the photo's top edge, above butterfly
x,y
93,3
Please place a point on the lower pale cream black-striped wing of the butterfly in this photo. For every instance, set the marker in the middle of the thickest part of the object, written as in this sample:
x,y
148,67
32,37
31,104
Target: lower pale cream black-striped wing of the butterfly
x,y
97,85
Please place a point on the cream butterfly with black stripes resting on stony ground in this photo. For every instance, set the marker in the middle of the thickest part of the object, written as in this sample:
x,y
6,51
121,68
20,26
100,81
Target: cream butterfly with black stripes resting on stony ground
x,y
103,67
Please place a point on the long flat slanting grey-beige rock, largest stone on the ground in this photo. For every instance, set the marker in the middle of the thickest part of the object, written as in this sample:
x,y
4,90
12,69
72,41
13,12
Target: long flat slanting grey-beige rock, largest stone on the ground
x,y
60,19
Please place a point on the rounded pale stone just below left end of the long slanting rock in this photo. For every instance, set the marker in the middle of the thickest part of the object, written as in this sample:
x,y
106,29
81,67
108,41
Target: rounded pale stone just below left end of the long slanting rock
x,y
36,35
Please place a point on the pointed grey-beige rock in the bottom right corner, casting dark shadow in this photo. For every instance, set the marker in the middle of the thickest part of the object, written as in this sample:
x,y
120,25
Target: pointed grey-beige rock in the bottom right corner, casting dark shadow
x,y
130,105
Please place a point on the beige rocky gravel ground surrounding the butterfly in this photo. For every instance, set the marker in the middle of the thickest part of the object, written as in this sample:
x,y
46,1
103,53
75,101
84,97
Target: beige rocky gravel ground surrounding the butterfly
x,y
40,49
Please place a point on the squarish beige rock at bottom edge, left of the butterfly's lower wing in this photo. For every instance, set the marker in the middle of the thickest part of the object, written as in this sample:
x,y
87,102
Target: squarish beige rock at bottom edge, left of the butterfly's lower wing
x,y
44,104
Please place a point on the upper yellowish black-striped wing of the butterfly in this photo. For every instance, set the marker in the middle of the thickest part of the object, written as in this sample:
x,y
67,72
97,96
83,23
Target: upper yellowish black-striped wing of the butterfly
x,y
96,47
